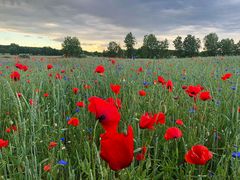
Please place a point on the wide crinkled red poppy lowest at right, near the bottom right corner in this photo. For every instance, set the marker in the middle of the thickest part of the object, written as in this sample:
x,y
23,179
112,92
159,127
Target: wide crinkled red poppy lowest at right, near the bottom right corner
x,y
199,155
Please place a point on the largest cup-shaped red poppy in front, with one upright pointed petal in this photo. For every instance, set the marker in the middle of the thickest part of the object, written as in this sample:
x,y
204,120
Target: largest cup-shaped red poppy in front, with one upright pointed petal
x,y
117,149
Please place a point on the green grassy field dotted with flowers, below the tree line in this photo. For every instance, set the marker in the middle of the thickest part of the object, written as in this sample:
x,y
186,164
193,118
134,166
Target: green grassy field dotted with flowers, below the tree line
x,y
214,123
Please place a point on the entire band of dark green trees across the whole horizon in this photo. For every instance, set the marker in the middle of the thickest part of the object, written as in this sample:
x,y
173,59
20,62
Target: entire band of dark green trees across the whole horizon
x,y
151,48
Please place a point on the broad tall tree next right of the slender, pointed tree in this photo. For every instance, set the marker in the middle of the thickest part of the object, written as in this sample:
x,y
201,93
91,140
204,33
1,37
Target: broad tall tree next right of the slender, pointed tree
x,y
150,46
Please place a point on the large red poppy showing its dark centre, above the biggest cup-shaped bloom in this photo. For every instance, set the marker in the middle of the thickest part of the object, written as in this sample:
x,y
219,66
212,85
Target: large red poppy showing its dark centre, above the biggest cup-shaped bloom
x,y
105,112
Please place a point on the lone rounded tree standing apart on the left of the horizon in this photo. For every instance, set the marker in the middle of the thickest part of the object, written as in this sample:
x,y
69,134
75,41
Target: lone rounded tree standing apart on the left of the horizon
x,y
71,47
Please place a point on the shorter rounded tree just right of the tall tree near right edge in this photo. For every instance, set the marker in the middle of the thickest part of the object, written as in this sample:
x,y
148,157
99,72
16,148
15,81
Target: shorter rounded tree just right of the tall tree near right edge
x,y
227,46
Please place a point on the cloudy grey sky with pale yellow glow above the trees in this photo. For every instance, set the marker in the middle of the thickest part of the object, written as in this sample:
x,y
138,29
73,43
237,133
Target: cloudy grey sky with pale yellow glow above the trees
x,y
96,22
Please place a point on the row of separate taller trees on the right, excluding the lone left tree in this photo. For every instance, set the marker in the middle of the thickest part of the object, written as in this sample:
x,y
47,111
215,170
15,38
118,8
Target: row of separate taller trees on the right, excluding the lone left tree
x,y
187,47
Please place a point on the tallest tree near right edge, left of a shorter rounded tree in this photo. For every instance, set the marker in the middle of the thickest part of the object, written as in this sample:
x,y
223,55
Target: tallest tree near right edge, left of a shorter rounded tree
x,y
211,44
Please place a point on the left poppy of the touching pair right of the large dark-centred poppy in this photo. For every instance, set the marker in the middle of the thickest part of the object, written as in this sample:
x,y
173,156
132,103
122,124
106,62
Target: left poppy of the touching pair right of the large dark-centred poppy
x,y
147,121
